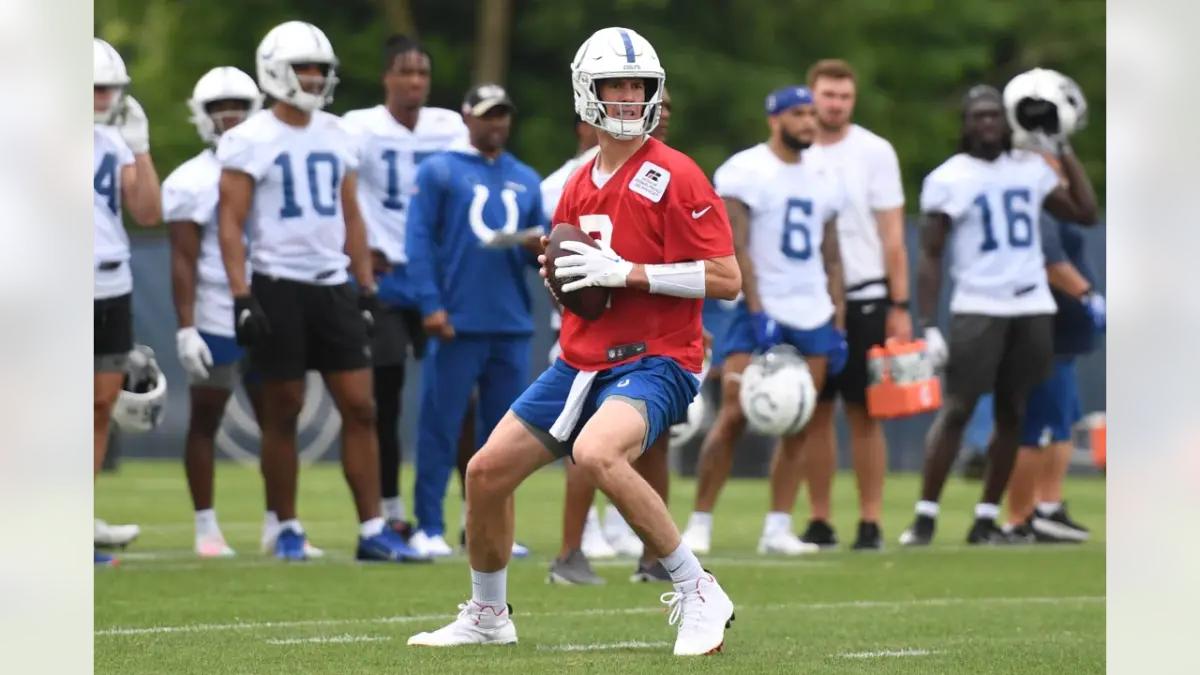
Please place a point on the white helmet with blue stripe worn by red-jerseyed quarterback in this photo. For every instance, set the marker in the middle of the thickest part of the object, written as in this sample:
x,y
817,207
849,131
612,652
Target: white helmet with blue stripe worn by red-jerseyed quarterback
x,y
617,53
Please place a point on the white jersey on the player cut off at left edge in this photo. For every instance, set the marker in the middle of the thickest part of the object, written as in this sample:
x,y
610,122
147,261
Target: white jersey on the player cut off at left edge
x,y
111,253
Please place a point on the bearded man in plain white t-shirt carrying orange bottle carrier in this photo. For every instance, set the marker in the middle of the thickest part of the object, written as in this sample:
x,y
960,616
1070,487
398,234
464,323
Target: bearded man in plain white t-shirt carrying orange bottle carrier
x,y
875,265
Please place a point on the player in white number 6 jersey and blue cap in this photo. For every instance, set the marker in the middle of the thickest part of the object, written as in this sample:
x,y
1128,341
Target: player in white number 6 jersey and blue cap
x,y
784,214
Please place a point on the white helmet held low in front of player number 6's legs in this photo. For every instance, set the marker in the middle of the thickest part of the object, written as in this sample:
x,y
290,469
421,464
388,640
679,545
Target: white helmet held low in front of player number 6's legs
x,y
778,396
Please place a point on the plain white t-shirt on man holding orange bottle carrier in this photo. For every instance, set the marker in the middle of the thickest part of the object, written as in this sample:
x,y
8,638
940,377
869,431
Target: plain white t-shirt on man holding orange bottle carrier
x,y
869,172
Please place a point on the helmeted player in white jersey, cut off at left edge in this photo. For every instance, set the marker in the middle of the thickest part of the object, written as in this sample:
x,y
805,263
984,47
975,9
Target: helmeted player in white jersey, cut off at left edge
x,y
123,172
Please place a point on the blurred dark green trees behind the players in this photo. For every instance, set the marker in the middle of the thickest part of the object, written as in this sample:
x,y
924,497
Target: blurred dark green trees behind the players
x,y
915,61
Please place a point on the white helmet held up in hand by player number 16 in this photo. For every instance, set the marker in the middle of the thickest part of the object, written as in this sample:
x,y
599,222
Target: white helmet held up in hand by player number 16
x,y
1045,103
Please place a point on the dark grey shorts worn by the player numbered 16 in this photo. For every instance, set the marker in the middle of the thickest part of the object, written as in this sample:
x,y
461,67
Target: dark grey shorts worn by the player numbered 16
x,y
998,354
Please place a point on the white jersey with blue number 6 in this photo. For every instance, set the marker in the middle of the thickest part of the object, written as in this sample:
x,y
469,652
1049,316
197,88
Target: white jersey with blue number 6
x,y
790,205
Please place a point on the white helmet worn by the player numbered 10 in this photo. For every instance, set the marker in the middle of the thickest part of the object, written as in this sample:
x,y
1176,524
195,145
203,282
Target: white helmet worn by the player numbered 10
x,y
290,44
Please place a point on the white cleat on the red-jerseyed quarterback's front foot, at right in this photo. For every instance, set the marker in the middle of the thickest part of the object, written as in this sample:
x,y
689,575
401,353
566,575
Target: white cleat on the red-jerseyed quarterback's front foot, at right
x,y
704,612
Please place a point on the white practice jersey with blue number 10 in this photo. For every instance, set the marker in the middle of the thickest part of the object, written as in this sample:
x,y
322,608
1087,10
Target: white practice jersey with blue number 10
x,y
297,229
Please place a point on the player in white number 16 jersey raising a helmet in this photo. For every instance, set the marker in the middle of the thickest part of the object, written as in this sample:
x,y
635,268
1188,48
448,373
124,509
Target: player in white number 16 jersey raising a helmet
x,y
991,196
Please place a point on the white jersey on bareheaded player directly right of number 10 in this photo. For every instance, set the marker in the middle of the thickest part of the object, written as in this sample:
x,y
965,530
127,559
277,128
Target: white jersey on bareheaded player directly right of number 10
x,y
388,157
